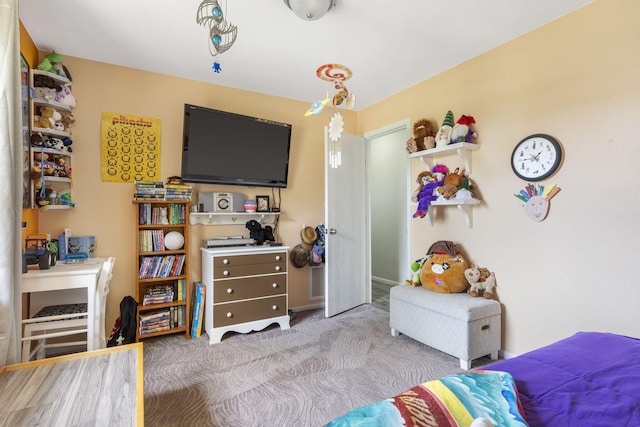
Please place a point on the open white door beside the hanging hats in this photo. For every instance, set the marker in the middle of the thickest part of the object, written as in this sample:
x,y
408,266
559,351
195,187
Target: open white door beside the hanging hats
x,y
347,277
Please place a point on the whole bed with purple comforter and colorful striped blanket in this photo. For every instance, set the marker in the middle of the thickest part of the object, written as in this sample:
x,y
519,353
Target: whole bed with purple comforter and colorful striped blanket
x,y
590,379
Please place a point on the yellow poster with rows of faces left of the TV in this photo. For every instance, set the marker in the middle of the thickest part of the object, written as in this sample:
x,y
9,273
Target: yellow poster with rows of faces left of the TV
x,y
130,148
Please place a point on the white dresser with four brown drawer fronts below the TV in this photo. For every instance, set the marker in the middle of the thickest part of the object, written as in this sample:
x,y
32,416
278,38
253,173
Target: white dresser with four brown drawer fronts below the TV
x,y
246,289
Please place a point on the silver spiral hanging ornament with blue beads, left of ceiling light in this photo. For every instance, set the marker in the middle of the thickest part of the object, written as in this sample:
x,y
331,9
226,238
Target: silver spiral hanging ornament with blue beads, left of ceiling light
x,y
222,34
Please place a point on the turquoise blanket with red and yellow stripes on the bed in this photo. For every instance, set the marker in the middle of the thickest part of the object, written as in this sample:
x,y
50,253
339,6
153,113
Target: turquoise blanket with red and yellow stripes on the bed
x,y
455,400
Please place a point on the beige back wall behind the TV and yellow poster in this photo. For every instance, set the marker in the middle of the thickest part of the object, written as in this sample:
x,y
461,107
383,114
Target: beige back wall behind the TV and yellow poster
x,y
105,209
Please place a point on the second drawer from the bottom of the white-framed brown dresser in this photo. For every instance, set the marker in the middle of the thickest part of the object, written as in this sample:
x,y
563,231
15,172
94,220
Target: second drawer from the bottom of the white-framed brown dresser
x,y
249,287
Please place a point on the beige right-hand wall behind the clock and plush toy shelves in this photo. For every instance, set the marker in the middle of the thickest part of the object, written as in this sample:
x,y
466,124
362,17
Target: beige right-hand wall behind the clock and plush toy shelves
x,y
577,79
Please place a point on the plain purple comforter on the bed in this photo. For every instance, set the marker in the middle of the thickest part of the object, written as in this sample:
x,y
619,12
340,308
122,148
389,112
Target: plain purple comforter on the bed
x,y
589,379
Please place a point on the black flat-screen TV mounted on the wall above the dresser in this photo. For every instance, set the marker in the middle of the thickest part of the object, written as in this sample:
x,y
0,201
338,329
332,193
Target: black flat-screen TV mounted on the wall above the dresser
x,y
226,148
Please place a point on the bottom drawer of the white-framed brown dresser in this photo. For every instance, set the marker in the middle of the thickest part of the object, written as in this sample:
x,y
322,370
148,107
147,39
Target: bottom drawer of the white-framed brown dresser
x,y
248,311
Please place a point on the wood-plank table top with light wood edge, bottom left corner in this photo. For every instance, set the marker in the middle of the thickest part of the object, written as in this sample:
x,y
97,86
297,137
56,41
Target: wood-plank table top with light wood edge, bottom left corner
x,y
101,387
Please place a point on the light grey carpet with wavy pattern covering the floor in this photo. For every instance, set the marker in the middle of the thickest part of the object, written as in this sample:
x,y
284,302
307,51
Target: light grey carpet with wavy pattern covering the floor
x,y
304,376
